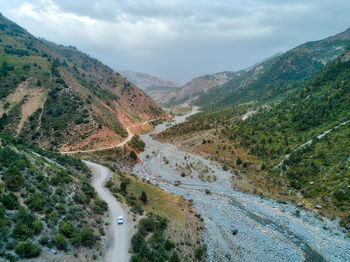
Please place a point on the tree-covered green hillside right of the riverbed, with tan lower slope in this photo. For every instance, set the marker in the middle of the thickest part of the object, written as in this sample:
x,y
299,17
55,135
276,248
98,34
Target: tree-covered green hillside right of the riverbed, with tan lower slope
x,y
270,149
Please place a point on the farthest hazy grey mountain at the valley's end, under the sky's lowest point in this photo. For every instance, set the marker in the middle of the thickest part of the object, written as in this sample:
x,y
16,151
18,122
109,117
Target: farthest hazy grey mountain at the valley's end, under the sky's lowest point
x,y
155,87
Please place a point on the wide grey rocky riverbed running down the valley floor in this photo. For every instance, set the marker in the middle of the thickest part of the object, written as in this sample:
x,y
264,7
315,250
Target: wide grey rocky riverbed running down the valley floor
x,y
238,226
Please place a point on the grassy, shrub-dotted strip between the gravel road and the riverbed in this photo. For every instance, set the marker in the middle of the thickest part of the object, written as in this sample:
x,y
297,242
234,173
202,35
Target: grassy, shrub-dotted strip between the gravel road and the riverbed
x,y
169,222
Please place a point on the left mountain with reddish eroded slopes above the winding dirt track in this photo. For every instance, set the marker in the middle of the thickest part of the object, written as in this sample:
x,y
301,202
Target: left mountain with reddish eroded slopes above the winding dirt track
x,y
61,98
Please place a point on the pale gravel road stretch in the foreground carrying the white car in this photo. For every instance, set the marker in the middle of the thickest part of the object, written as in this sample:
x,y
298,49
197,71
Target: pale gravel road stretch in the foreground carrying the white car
x,y
119,246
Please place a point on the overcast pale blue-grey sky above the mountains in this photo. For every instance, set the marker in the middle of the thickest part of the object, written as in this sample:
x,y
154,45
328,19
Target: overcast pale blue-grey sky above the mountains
x,y
180,39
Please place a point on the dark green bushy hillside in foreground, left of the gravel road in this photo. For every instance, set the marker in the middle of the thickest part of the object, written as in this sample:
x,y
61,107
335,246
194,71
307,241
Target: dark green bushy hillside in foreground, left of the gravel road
x,y
47,206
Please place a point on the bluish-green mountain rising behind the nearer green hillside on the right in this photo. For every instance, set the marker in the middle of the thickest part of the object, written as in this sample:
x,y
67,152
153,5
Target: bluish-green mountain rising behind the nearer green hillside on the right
x,y
274,77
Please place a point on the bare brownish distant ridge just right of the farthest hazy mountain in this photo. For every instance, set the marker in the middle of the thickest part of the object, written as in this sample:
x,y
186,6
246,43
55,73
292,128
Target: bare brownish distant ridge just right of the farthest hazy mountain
x,y
197,86
